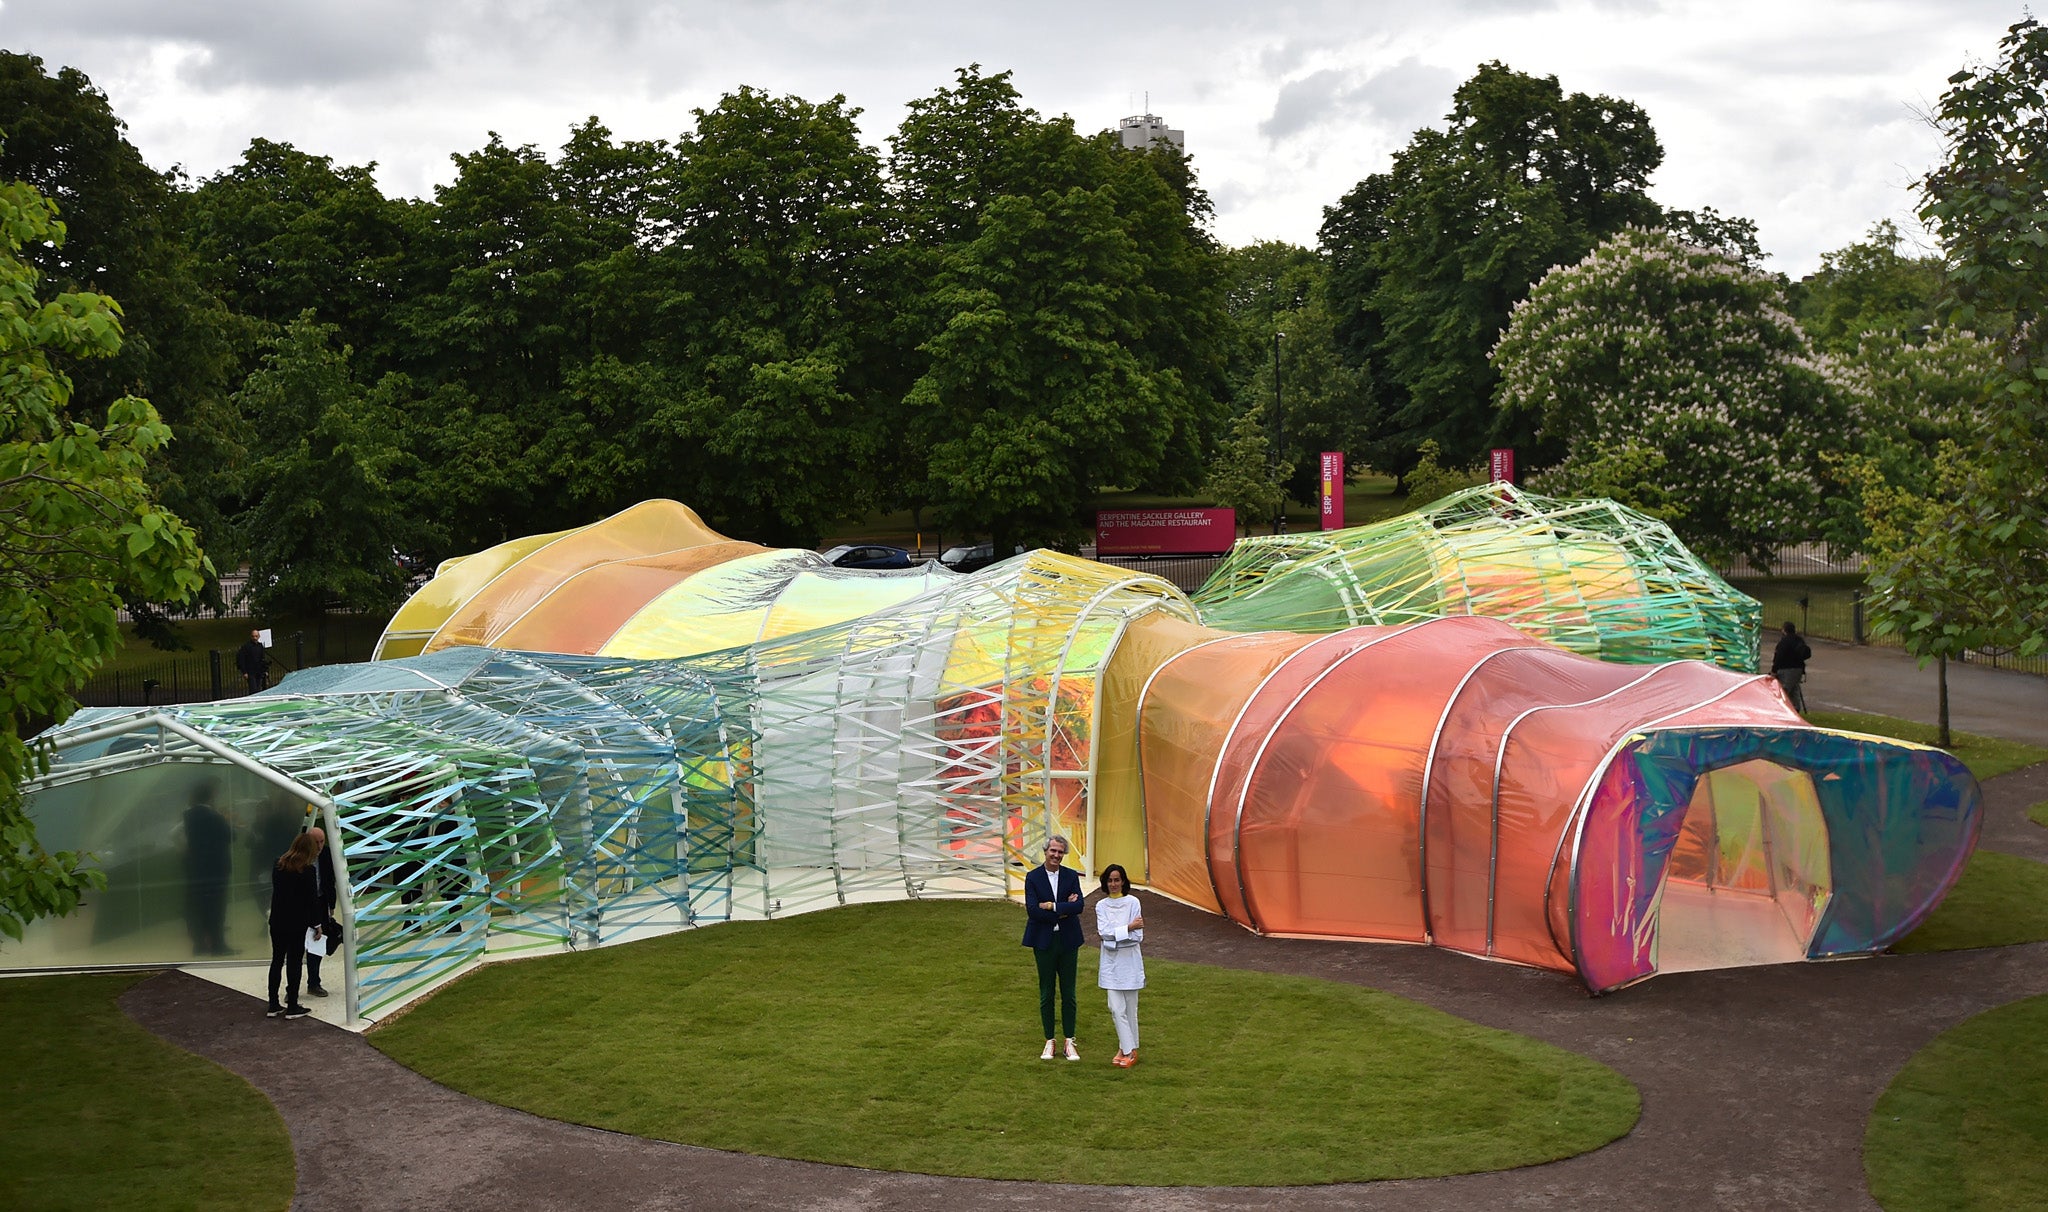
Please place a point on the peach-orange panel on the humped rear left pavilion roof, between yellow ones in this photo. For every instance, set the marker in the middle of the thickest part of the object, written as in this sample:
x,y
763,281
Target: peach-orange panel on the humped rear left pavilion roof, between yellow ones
x,y
644,529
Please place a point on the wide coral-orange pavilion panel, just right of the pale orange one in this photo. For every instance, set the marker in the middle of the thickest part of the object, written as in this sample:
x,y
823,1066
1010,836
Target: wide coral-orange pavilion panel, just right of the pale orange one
x,y
1330,838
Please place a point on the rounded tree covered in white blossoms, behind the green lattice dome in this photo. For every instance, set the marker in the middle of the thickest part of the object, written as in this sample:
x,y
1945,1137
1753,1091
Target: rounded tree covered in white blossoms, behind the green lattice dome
x,y
1676,376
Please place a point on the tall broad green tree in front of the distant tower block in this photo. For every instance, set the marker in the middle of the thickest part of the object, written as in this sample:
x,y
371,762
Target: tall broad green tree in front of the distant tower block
x,y
962,157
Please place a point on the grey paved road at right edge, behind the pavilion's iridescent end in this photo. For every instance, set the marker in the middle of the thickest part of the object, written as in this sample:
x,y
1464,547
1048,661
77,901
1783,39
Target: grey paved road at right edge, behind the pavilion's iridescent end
x,y
1992,703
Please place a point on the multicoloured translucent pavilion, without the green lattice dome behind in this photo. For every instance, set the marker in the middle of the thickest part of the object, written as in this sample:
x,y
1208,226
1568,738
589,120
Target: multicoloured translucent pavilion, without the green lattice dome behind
x,y
728,732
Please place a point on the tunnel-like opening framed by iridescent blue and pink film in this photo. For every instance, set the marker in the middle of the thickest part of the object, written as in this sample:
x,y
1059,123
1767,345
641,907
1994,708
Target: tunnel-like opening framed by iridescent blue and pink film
x,y
1750,873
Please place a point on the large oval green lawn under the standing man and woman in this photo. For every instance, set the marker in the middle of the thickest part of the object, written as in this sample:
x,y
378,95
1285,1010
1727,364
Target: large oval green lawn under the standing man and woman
x,y
906,1037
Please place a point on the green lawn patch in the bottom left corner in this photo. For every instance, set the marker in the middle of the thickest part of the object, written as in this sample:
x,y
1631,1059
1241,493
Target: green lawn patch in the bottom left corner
x,y
99,1115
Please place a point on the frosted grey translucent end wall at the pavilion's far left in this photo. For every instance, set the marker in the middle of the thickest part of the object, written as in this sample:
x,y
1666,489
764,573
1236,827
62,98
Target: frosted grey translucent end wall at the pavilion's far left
x,y
187,851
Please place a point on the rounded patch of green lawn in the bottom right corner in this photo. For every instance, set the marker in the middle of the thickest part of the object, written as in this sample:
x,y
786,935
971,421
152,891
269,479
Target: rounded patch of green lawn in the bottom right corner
x,y
1965,1125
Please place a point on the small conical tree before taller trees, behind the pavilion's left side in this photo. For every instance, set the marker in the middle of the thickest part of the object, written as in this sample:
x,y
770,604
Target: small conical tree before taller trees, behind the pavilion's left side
x,y
329,513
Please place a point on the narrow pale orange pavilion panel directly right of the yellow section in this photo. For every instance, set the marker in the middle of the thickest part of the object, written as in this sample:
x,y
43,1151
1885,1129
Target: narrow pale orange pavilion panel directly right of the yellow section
x,y
1183,722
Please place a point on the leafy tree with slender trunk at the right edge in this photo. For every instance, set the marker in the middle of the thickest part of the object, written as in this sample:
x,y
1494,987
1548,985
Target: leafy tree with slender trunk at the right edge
x,y
1965,566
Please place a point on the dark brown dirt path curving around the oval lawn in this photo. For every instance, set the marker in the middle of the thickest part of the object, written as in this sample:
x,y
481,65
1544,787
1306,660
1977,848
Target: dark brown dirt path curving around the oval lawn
x,y
1756,1086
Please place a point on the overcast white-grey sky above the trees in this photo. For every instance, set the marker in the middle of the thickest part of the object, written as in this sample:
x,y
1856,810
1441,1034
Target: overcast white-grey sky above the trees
x,y
1805,116
